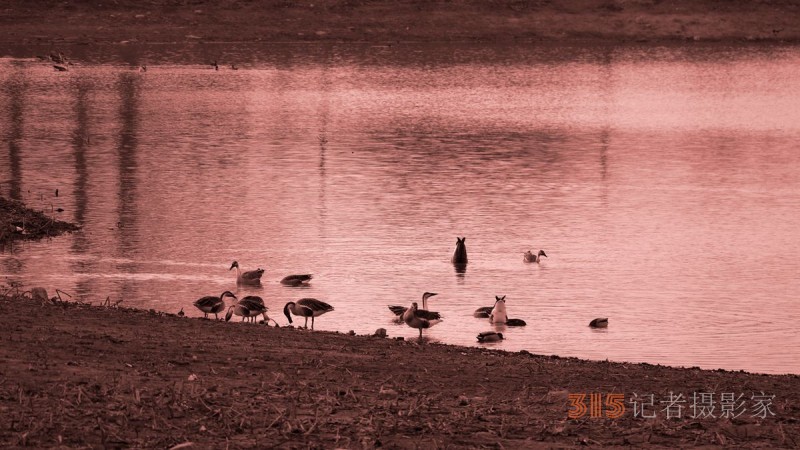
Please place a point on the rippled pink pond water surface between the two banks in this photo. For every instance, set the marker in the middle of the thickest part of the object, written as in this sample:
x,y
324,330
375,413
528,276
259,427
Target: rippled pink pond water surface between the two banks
x,y
662,183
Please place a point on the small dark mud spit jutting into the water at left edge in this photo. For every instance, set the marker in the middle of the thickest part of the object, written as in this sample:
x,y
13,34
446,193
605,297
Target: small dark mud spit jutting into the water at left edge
x,y
20,223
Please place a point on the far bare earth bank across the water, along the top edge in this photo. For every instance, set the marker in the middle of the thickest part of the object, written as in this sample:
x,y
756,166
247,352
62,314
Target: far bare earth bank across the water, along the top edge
x,y
596,21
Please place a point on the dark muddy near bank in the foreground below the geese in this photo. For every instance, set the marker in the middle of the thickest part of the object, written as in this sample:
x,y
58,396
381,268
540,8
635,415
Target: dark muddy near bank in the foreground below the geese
x,y
79,375
